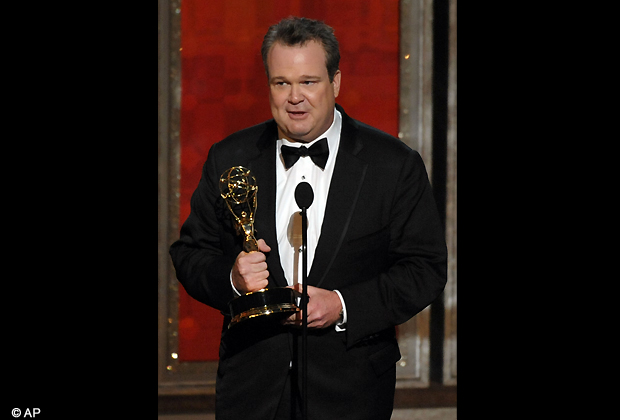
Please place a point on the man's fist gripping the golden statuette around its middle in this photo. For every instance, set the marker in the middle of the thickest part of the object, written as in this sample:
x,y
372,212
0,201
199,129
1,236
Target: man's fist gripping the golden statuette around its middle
x,y
249,273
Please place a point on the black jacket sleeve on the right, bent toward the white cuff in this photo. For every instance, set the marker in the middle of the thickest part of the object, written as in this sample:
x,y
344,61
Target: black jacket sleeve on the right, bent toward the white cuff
x,y
416,272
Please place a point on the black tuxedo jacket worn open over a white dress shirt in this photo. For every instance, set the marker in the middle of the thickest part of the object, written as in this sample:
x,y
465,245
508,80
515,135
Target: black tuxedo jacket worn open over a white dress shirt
x,y
381,245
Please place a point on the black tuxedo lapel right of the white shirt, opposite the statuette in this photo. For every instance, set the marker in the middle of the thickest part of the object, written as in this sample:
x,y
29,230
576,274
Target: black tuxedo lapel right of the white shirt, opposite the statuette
x,y
342,198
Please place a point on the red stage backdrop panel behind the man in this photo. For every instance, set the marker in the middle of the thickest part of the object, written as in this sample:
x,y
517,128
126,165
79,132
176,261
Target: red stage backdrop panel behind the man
x,y
224,89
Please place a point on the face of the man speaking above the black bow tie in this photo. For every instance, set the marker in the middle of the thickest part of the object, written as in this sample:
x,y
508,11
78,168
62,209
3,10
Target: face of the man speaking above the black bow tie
x,y
301,97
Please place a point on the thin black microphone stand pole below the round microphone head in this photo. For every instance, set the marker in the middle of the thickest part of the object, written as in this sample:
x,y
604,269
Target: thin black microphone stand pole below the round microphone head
x,y
304,308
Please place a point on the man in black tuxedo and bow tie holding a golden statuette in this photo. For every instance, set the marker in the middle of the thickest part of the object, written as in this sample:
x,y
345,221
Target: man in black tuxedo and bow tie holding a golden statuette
x,y
376,249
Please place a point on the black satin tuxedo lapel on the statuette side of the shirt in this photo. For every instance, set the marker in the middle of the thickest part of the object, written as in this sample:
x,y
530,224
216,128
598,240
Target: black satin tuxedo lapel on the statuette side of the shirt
x,y
263,167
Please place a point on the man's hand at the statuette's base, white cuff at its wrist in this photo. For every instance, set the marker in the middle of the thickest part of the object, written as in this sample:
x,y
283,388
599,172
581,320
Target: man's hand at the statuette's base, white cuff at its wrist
x,y
324,308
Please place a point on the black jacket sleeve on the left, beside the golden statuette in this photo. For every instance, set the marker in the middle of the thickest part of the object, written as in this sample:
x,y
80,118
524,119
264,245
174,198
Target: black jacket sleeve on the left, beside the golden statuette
x,y
202,266
